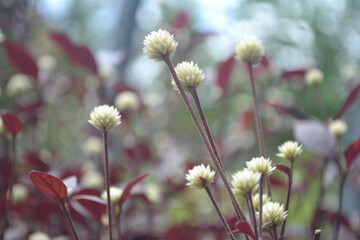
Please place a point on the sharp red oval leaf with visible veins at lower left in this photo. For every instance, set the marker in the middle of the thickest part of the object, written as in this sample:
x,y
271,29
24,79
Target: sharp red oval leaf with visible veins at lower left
x,y
49,185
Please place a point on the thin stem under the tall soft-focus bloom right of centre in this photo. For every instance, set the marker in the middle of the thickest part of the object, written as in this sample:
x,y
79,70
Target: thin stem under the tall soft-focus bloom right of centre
x,y
259,131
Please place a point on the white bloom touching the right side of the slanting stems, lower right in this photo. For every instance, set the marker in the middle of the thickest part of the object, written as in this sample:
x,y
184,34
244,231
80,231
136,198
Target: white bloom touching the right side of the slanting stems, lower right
x,y
245,181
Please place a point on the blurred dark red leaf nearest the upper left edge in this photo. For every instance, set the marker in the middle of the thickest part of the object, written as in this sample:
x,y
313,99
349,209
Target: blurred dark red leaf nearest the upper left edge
x,y
21,59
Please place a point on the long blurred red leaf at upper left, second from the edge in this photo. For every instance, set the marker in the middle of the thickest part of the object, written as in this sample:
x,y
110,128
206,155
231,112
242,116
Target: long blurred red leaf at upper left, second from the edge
x,y
78,54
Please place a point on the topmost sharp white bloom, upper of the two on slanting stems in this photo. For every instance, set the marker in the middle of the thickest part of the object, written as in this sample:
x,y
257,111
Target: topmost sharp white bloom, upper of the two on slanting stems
x,y
158,44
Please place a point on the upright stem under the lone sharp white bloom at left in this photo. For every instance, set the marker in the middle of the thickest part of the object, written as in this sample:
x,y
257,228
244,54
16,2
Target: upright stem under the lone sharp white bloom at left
x,y
107,180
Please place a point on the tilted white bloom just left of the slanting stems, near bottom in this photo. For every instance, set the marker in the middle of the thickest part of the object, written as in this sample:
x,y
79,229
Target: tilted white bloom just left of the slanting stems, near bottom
x,y
200,176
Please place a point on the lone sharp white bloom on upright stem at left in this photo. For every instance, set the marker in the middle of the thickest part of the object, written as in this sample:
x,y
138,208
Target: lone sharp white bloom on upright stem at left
x,y
105,117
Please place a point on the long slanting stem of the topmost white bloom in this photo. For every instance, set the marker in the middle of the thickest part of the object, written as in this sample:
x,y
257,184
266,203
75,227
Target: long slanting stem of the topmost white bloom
x,y
240,214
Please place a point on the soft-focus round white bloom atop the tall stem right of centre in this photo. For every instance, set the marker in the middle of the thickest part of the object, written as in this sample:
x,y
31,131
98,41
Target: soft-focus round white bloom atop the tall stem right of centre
x,y
250,50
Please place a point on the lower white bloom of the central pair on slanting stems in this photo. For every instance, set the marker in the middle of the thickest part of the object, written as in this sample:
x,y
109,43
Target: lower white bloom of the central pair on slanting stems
x,y
189,74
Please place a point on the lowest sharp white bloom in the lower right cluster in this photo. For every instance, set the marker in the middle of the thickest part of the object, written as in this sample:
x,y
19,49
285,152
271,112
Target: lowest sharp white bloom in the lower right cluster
x,y
273,214
